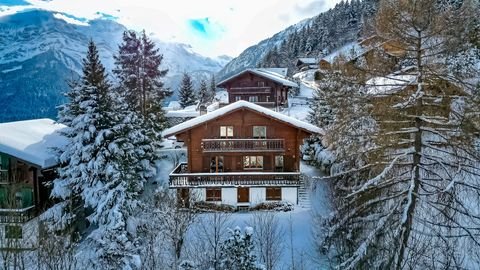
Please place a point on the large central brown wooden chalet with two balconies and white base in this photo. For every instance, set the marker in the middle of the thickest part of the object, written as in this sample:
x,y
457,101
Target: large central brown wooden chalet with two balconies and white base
x,y
241,155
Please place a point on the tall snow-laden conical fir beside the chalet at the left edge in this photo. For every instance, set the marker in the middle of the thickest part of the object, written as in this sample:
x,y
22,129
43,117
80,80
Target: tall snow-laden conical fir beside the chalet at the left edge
x,y
101,167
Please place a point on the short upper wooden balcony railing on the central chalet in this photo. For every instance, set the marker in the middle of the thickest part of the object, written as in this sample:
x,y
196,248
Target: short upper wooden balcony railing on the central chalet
x,y
243,145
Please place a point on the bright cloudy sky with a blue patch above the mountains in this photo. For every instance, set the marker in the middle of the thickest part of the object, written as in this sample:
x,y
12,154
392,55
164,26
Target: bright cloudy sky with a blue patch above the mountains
x,y
211,27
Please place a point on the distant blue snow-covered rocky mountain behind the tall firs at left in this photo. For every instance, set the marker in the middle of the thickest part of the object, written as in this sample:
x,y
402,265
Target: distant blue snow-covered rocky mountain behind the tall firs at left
x,y
40,51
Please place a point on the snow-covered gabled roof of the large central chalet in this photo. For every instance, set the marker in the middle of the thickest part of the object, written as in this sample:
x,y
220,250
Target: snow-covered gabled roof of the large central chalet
x,y
235,106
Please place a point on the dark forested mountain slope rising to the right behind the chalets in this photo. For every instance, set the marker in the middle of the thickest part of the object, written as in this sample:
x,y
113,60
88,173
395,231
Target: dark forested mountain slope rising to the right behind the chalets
x,y
314,37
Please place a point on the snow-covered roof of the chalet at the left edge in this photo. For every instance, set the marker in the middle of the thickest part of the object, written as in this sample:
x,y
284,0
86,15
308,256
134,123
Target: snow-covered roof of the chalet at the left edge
x,y
32,140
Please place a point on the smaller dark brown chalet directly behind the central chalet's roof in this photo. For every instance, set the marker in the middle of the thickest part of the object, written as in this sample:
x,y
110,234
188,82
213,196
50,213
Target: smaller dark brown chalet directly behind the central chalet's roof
x,y
267,87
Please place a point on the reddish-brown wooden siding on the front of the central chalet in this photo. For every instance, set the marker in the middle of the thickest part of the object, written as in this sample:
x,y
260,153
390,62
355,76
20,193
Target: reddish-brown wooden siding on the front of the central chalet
x,y
243,121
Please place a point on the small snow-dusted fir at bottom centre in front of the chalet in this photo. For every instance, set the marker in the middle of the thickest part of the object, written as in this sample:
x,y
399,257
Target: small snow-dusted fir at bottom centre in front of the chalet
x,y
237,251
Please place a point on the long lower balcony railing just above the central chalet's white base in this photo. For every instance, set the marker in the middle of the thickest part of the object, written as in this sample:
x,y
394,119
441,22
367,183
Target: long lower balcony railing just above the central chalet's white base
x,y
180,178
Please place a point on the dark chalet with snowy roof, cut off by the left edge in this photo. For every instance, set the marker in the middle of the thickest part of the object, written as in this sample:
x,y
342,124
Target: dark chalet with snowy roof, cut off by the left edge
x,y
26,164
